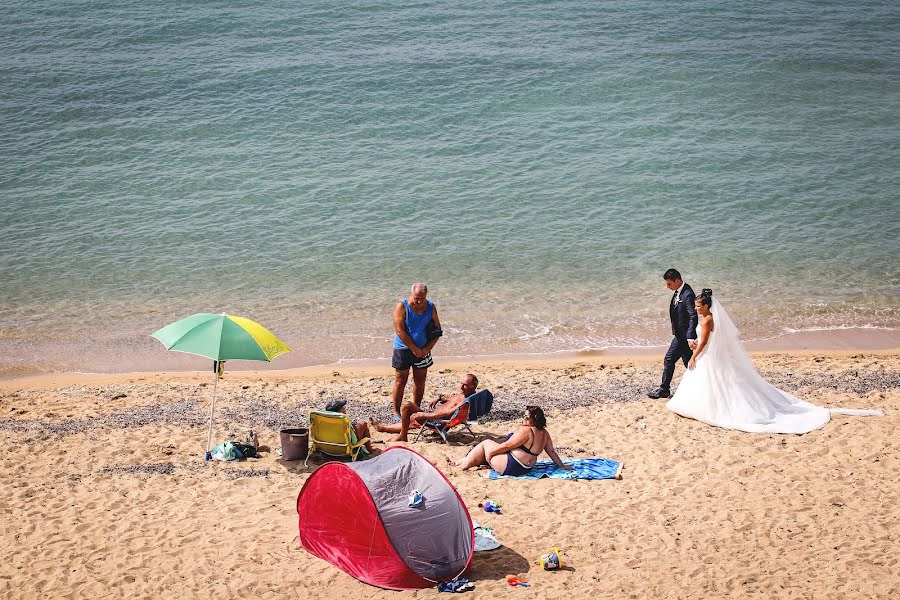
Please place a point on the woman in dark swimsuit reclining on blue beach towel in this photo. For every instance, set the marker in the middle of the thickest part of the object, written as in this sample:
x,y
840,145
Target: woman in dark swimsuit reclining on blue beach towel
x,y
520,451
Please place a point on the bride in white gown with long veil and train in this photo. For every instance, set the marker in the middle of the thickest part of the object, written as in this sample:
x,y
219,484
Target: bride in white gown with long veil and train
x,y
722,388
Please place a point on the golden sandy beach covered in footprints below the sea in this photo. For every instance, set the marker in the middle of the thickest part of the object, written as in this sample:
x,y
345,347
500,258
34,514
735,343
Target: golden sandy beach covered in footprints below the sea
x,y
107,494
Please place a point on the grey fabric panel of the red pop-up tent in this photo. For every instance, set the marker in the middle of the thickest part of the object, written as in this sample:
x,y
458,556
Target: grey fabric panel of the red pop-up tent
x,y
434,539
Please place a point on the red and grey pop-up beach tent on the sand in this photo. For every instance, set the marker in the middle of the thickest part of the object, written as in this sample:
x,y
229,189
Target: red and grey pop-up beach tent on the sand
x,y
357,517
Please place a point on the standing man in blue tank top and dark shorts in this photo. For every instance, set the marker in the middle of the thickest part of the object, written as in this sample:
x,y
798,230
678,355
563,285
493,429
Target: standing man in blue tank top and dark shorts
x,y
417,330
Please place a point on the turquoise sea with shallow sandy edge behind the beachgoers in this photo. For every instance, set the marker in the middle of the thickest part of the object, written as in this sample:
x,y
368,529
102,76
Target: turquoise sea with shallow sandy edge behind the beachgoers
x,y
538,163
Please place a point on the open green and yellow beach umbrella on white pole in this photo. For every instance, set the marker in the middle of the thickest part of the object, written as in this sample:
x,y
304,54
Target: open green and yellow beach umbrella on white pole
x,y
220,337
